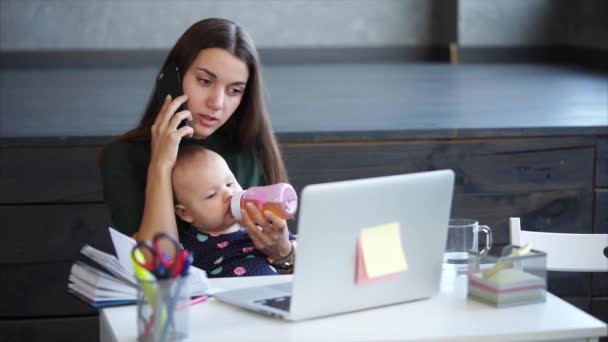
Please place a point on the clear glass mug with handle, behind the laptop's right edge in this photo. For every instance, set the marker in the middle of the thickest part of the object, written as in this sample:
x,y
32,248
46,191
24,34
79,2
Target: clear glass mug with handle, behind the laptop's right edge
x,y
463,237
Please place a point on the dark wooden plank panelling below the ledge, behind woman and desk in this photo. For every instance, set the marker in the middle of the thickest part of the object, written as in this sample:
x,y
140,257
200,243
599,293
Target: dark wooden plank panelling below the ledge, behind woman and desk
x,y
50,212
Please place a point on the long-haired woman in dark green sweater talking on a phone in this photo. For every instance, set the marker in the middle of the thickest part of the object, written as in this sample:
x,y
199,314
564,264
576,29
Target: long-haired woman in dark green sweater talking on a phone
x,y
222,83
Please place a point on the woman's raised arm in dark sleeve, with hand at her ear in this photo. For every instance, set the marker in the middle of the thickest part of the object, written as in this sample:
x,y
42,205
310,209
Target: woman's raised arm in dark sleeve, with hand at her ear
x,y
139,193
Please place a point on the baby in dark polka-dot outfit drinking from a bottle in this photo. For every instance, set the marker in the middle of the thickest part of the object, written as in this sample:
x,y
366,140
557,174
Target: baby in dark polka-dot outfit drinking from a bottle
x,y
203,185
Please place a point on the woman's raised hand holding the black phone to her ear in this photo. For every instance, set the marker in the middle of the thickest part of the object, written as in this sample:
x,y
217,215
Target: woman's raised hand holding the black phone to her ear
x,y
166,135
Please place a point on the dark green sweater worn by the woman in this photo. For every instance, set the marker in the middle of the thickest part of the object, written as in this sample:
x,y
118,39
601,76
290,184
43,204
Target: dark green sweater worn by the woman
x,y
124,169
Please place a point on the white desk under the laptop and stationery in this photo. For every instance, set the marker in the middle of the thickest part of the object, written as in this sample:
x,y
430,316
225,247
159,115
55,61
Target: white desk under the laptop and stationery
x,y
449,316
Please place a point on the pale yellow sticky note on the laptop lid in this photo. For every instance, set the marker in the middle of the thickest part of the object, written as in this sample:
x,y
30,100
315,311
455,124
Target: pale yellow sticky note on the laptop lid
x,y
383,252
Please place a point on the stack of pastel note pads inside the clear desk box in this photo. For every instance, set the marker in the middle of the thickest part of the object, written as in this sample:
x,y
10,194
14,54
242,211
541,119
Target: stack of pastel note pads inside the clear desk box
x,y
508,286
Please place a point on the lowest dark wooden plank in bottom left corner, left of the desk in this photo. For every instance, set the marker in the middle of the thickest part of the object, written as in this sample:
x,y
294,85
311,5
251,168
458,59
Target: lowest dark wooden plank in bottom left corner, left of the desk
x,y
66,329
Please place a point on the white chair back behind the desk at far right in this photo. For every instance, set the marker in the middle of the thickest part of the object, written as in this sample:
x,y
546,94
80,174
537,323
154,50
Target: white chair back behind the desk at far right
x,y
565,252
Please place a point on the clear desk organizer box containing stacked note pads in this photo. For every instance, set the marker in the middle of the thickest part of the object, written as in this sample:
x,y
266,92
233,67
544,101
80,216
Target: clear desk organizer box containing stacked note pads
x,y
504,280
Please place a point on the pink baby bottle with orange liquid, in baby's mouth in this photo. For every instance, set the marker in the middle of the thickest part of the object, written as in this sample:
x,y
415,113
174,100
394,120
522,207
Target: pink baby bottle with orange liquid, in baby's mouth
x,y
280,199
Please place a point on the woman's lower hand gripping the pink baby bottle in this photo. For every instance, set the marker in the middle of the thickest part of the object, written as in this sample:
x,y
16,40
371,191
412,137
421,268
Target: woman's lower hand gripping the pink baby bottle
x,y
268,232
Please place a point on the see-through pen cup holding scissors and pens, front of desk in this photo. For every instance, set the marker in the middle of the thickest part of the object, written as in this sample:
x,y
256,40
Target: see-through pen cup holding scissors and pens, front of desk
x,y
162,309
